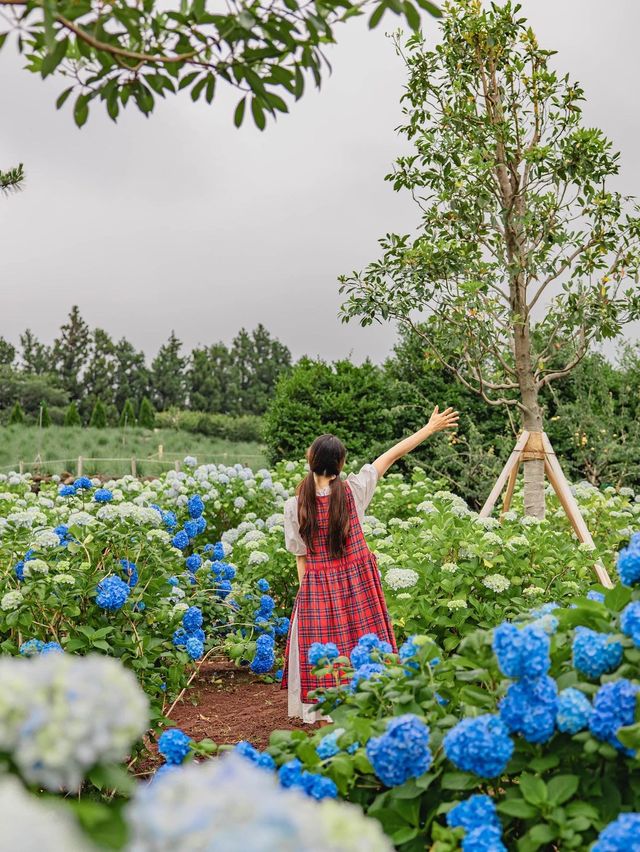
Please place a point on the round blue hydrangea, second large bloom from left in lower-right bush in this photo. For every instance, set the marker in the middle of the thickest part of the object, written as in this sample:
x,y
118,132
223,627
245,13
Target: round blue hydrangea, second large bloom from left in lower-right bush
x,y
481,745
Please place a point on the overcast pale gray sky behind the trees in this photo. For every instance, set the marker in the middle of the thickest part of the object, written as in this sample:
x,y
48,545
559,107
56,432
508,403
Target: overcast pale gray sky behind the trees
x,y
181,221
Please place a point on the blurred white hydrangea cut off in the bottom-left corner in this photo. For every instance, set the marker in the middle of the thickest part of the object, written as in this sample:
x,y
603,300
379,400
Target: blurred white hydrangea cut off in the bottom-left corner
x,y
32,824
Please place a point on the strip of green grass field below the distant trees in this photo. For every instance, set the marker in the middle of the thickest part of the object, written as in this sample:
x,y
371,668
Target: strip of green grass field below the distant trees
x,y
64,444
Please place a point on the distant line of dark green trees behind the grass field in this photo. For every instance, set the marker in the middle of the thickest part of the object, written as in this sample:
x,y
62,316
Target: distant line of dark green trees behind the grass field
x,y
87,377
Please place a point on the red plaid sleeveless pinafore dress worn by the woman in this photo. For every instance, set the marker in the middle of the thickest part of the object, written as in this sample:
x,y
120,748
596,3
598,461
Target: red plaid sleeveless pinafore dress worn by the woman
x,y
339,599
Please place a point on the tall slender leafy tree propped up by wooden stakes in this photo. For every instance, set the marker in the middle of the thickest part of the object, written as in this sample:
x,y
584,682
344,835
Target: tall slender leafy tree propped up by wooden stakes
x,y
515,205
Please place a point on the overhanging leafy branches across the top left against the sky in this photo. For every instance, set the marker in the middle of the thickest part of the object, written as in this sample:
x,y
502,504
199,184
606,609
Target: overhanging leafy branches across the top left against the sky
x,y
127,51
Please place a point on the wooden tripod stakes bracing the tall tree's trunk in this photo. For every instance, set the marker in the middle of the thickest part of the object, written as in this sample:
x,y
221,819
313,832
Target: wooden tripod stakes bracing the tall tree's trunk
x,y
536,445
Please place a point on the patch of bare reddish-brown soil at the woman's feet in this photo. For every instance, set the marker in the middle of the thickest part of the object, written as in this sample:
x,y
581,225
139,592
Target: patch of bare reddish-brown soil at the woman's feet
x,y
228,704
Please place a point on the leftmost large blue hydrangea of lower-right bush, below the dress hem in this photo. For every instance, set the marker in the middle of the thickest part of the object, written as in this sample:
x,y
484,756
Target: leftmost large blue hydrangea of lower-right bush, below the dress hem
x,y
401,752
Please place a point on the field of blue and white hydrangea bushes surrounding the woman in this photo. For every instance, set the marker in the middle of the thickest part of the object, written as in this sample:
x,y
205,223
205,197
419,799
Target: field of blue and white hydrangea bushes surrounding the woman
x,y
507,720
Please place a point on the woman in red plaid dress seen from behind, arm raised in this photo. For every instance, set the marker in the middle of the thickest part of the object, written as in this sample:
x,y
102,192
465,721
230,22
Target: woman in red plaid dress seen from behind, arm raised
x,y
340,596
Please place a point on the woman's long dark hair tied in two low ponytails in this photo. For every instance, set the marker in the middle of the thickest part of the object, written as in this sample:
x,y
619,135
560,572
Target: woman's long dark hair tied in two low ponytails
x,y
326,458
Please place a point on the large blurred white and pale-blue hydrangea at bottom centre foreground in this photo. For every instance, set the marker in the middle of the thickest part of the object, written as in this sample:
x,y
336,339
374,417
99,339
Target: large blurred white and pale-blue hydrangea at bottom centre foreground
x,y
230,804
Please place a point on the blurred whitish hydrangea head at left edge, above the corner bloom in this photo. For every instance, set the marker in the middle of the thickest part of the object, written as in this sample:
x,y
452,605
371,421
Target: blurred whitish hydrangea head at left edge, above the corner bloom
x,y
60,715
